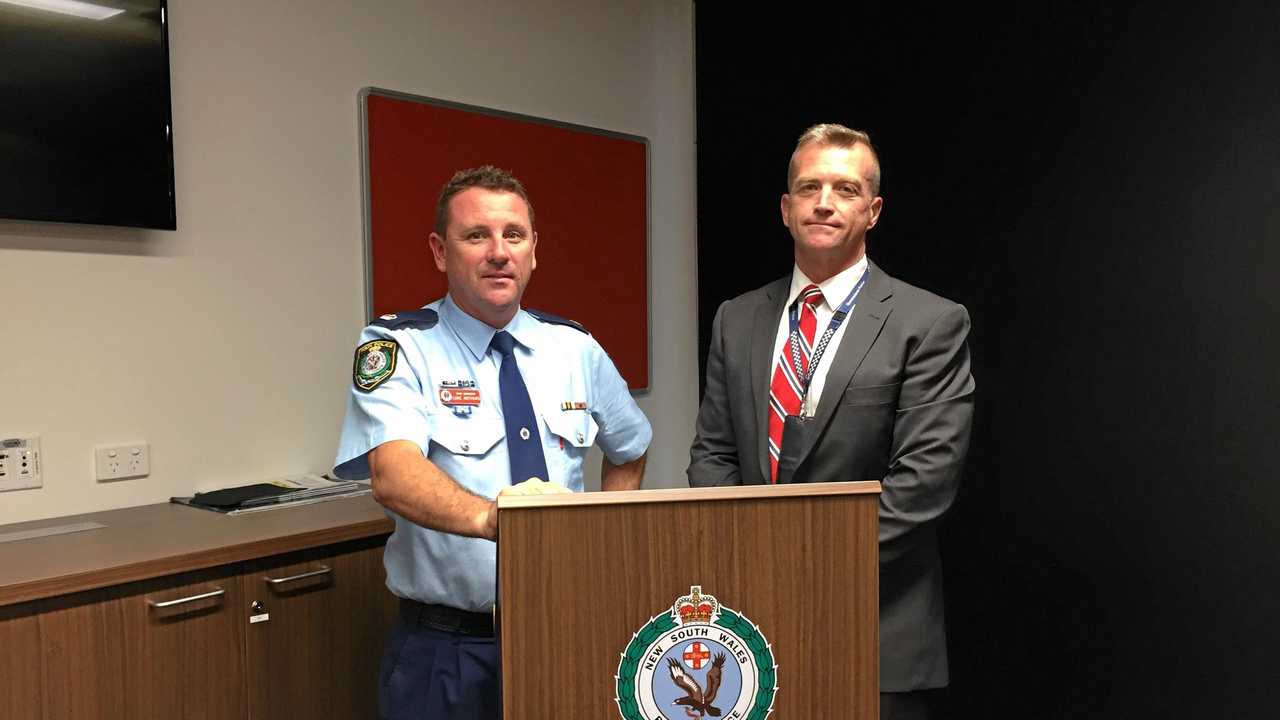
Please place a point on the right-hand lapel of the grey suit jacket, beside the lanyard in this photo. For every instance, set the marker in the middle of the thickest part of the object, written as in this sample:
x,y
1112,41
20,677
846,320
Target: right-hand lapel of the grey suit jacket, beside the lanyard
x,y
865,326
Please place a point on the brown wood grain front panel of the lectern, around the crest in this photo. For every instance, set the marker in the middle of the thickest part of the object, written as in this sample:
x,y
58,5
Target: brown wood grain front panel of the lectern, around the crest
x,y
577,581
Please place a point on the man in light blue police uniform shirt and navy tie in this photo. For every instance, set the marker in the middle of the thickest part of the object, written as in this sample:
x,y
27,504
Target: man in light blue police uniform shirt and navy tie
x,y
454,404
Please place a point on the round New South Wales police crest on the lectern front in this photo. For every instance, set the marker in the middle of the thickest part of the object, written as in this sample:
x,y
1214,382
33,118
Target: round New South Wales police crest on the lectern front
x,y
698,659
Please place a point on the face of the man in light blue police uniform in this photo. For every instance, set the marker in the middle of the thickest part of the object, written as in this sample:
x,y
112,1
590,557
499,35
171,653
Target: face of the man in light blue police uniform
x,y
488,253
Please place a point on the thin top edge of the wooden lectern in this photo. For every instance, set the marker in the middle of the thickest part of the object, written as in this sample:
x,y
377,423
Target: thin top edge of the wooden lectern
x,y
688,495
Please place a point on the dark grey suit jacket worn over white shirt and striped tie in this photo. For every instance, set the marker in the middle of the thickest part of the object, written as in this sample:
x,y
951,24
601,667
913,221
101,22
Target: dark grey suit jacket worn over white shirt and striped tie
x,y
897,407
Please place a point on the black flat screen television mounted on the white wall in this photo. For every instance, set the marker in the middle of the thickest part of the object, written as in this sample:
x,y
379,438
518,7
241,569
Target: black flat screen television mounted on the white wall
x,y
86,134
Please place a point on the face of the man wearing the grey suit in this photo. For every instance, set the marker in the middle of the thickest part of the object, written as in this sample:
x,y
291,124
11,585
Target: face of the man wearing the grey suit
x,y
830,207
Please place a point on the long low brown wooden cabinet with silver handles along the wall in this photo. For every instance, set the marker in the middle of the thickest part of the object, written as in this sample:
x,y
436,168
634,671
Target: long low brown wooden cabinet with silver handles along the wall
x,y
182,645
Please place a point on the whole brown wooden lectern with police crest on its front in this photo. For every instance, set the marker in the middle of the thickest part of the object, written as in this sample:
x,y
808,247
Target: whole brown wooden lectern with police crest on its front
x,y
732,603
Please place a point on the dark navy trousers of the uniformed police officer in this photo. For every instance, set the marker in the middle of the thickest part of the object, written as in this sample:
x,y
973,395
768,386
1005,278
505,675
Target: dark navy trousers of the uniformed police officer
x,y
438,676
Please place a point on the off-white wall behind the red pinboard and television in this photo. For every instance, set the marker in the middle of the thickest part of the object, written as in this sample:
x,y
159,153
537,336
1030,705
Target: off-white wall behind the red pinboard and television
x,y
228,343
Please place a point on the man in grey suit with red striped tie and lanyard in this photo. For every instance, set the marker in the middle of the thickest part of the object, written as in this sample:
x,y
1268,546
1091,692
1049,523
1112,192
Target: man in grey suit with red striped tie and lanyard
x,y
842,372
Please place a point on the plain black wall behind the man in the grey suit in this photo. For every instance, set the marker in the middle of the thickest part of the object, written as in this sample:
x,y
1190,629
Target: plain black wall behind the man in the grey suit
x,y
1101,189
